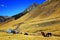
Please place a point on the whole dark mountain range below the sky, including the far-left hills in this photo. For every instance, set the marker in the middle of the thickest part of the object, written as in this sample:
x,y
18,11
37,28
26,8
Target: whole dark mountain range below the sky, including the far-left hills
x,y
15,17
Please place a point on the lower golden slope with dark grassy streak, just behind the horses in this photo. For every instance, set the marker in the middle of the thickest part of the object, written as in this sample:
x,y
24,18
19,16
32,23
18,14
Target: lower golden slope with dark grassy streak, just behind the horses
x,y
49,25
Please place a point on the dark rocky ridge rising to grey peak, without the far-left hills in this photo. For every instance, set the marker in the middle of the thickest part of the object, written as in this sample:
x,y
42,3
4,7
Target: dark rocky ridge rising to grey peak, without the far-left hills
x,y
32,6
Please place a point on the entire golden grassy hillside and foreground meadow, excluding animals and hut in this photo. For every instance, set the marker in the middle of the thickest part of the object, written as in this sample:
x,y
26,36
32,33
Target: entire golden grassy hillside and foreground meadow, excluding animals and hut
x,y
45,17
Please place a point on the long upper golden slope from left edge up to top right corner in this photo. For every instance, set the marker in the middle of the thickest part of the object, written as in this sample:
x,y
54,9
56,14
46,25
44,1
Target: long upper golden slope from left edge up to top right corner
x,y
47,10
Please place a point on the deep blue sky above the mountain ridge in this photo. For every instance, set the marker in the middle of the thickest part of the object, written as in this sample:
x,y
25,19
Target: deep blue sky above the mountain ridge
x,y
12,7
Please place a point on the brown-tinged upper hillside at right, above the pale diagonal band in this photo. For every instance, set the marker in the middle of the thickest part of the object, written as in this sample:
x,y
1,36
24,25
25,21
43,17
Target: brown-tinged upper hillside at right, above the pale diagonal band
x,y
48,10
